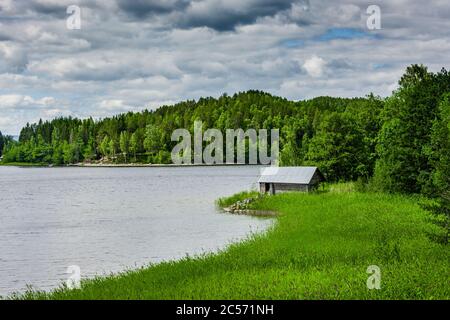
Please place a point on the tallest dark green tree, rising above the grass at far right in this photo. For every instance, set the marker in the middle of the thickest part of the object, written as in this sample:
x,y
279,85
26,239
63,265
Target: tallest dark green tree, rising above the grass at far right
x,y
403,164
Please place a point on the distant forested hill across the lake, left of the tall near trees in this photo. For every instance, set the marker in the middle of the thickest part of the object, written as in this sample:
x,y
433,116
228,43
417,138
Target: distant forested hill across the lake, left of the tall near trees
x,y
146,136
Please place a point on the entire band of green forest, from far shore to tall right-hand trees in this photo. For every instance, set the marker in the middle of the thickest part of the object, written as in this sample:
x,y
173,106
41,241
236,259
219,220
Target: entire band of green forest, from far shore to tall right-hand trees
x,y
400,143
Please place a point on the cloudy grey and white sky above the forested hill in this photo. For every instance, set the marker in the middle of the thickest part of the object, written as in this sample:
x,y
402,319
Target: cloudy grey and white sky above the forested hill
x,y
131,55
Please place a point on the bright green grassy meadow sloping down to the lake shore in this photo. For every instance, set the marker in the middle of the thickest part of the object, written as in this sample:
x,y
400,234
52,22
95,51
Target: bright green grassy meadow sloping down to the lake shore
x,y
319,248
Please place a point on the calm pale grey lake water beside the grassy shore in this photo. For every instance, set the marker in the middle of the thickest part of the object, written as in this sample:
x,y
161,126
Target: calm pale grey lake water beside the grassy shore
x,y
112,219
